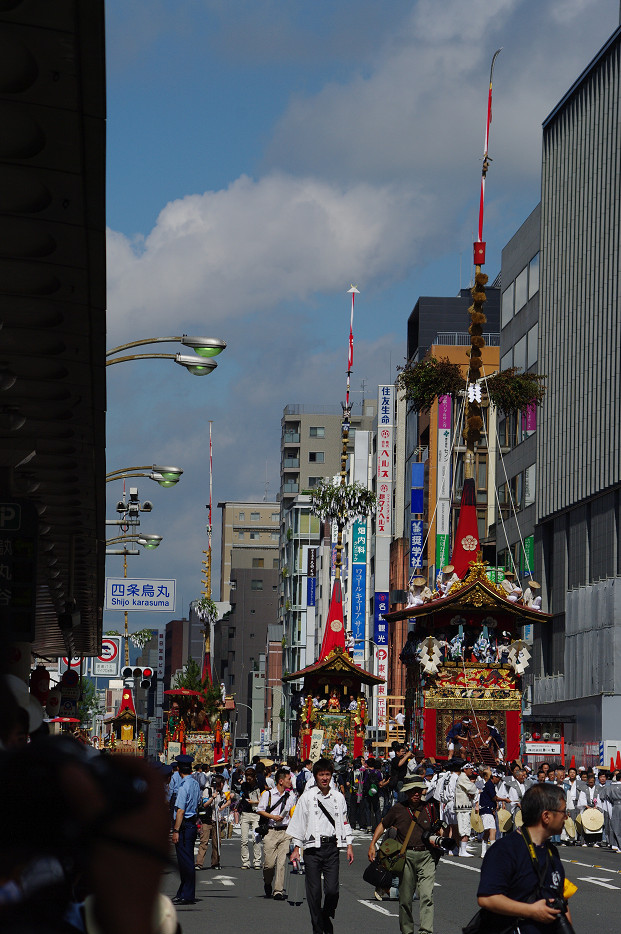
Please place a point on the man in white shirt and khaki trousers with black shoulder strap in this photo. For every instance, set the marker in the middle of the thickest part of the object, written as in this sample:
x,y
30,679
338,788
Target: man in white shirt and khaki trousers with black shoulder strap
x,y
275,805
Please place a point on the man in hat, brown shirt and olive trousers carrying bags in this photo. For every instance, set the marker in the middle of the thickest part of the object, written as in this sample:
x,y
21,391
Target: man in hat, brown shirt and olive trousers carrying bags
x,y
414,820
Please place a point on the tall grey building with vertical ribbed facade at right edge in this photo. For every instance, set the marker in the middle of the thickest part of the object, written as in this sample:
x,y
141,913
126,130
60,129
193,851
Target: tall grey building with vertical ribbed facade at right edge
x,y
578,438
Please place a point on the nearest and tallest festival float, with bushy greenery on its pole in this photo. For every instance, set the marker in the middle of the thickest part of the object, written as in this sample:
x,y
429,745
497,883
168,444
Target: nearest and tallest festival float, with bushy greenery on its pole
x,y
464,654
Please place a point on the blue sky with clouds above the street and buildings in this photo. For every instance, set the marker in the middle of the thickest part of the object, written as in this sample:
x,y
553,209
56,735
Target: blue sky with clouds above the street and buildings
x,y
263,155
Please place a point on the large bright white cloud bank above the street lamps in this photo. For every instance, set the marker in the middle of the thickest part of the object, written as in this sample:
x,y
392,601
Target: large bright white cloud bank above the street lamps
x,y
232,253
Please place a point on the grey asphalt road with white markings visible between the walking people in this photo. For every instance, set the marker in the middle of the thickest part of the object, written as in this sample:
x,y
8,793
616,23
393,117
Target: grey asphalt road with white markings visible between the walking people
x,y
231,899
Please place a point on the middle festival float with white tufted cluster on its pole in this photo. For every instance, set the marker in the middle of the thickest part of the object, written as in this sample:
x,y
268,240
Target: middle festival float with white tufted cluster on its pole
x,y
334,705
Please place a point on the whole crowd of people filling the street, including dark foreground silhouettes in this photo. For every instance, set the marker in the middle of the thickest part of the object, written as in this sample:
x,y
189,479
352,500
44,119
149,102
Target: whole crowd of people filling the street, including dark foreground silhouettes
x,y
58,876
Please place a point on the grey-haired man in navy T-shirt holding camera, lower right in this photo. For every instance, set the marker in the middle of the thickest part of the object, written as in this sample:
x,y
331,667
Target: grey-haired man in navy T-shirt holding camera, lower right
x,y
522,879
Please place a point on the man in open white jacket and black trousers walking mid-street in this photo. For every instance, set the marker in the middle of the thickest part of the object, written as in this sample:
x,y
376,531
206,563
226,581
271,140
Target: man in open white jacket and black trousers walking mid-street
x,y
320,825
